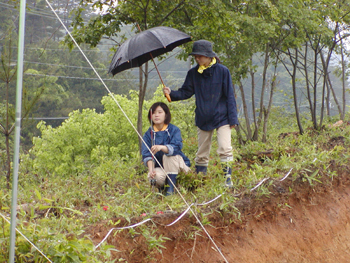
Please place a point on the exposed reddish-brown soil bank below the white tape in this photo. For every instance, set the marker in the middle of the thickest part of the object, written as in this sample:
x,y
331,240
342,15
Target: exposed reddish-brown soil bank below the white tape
x,y
310,224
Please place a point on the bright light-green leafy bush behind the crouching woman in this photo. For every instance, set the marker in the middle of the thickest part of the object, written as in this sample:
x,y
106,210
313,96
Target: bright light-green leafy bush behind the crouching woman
x,y
87,139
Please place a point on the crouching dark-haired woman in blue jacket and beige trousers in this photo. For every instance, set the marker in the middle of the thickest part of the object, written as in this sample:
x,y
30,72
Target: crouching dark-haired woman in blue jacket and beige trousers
x,y
165,142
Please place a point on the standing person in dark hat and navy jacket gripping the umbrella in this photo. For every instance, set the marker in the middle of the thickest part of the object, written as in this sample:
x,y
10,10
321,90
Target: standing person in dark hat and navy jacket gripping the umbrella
x,y
211,84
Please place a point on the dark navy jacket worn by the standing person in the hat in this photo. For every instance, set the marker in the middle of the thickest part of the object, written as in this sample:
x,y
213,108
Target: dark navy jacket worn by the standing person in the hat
x,y
215,100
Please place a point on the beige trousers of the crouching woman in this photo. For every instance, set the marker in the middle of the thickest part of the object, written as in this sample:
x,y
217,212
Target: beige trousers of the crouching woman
x,y
171,165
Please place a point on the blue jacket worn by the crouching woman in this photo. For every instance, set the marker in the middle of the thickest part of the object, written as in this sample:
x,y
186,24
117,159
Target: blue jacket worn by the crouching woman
x,y
170,137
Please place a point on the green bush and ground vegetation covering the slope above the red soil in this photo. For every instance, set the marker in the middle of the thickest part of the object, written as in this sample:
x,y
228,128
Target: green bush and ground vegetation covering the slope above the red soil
x,y
88,171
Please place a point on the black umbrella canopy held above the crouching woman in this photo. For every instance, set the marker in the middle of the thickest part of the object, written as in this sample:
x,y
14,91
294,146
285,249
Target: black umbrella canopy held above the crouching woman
x,y
146,45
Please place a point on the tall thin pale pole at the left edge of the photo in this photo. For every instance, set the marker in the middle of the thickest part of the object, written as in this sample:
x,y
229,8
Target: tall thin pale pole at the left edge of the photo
x,y
17,128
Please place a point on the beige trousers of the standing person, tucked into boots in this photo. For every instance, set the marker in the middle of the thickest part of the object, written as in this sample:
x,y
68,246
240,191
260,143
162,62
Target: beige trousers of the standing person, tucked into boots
x,y
224,151
